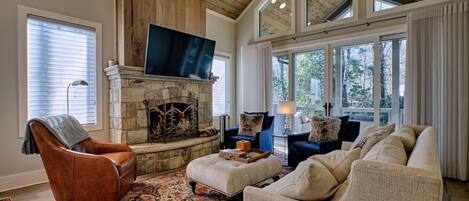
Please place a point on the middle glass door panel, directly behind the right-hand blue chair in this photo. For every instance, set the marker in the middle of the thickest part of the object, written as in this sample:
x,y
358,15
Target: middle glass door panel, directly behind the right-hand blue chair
x,y
353,82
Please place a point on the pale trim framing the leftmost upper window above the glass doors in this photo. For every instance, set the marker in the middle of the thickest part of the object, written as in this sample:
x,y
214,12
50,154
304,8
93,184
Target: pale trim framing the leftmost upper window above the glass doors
x,y
275,35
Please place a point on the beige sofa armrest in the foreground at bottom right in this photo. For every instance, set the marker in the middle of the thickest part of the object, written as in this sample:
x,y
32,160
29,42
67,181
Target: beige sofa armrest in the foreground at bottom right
x,y
371,180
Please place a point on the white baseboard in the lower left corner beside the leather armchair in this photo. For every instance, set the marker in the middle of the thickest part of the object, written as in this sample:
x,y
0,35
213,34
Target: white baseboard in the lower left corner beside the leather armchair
x,y
23,179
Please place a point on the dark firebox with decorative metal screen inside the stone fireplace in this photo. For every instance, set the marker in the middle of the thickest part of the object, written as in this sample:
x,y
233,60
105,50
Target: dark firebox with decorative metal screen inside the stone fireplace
x,y
170,121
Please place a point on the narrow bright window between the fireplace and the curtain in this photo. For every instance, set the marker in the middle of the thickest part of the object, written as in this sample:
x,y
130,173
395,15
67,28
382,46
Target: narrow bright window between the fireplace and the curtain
x,y
220,69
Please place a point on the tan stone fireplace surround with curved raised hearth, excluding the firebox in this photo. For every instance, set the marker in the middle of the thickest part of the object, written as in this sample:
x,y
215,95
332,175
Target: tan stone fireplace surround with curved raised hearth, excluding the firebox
x,y
129,87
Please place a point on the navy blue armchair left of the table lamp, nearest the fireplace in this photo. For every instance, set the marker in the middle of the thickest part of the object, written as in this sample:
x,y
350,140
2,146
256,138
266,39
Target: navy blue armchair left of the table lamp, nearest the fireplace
x,y
262,140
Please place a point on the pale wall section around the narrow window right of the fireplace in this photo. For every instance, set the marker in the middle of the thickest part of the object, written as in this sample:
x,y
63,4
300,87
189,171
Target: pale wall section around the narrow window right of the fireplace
x,y
222,30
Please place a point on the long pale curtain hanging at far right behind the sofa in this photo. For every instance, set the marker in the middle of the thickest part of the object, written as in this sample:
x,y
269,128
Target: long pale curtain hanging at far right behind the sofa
x,y
437,80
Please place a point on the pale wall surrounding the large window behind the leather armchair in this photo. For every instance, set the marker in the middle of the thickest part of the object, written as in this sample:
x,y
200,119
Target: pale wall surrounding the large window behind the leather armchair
x,y
12,163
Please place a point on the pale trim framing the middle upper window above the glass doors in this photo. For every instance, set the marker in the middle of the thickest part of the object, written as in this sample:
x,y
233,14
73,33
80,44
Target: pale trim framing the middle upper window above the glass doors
x,y
316,27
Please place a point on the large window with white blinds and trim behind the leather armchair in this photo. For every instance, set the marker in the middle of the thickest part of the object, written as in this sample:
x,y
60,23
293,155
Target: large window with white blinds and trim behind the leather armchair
x,y
55,51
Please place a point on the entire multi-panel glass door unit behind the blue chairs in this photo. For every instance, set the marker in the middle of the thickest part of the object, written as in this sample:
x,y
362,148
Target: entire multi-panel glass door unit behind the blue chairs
x,y
363,79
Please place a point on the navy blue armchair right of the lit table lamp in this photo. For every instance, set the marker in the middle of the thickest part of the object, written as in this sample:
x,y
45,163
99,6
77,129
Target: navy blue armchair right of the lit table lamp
x,y
299,148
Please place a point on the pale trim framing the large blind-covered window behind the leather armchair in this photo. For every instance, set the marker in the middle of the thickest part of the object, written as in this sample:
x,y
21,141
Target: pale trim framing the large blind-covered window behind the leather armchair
x,y
23,12
